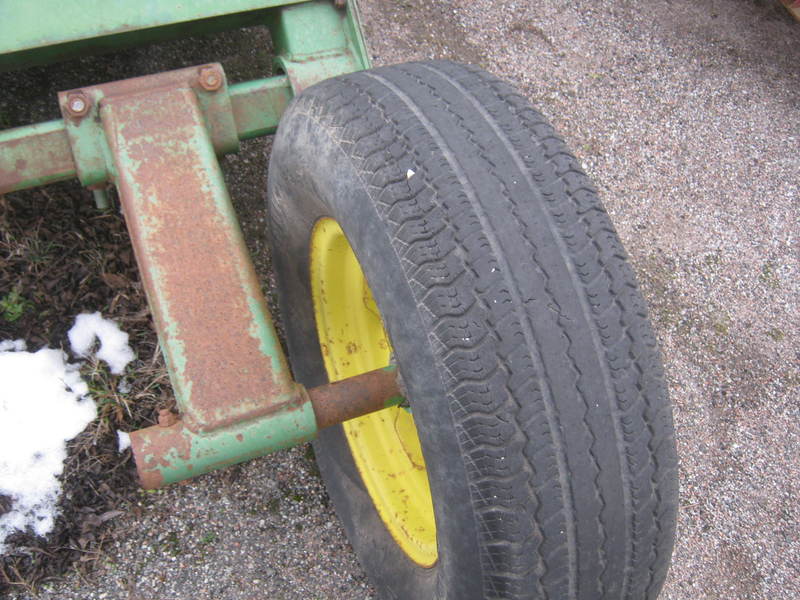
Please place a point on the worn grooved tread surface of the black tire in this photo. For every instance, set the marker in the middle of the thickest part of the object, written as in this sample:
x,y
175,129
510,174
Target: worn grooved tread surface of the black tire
x,y
491,182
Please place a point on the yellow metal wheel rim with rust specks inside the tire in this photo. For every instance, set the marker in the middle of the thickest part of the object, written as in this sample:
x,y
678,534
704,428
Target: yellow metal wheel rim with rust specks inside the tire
x,y
385,444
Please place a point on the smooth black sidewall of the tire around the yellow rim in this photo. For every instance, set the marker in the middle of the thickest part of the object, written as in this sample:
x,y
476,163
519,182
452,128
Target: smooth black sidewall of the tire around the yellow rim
x,y
311,177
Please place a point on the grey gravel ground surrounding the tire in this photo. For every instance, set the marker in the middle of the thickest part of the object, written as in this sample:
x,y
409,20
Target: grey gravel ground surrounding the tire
x,y
687,115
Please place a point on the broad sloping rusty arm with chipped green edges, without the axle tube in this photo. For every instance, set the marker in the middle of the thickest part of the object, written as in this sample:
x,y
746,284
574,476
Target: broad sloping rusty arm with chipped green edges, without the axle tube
x,y
214,327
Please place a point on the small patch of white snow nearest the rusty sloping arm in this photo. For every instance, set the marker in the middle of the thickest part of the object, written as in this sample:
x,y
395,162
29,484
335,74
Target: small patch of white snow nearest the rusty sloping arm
x,y
114,348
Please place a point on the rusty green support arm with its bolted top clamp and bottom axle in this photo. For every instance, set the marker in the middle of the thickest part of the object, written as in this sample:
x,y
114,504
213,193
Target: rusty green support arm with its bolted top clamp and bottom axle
x,y
157,138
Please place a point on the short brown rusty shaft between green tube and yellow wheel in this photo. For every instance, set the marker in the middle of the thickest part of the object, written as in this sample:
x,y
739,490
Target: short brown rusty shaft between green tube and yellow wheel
x,y
350,398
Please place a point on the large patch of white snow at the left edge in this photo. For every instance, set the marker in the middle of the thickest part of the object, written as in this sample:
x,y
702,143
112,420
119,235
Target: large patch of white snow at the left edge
x,y
43,404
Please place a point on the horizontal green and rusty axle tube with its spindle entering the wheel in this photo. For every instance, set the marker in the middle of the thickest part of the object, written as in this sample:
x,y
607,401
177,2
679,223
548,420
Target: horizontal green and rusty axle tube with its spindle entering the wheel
x,y
172,451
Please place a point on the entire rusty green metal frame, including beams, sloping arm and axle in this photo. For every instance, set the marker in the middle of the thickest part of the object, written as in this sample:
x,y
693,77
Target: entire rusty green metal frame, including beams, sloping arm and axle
x,y
157,138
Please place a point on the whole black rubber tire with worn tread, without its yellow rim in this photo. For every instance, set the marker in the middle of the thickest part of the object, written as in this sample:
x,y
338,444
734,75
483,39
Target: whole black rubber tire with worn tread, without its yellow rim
x,y
532,370
